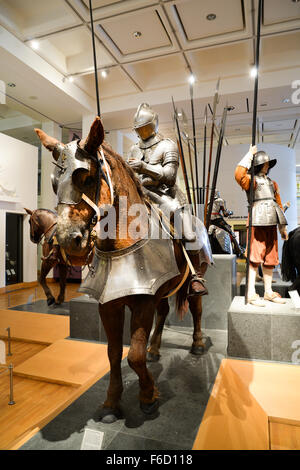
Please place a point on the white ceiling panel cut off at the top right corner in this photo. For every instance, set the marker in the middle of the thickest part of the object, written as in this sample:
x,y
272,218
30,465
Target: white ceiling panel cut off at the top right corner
x,y
278,11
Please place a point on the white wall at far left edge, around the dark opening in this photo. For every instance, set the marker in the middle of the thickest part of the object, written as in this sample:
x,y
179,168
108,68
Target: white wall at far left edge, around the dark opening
x,y
18,189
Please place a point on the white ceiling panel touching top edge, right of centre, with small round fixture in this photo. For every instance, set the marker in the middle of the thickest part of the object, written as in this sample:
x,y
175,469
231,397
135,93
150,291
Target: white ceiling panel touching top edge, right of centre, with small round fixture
x,y
192,14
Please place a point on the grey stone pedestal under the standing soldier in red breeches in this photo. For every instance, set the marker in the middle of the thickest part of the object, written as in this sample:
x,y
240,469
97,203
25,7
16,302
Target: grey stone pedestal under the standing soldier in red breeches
x,y
267,333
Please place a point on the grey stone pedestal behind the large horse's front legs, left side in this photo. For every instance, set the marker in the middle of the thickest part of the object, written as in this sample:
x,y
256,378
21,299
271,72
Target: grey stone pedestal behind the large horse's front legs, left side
x,y
85,322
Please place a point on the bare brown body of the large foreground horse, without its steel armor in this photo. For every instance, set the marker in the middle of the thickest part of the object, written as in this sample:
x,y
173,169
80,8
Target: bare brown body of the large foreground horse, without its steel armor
x,y
76,220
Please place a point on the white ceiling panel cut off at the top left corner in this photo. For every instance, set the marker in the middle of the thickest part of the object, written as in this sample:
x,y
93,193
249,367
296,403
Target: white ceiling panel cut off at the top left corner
x,y
32,18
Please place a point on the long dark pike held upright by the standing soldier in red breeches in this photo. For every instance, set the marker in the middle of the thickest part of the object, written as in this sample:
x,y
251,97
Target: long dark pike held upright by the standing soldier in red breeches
x,y
254,123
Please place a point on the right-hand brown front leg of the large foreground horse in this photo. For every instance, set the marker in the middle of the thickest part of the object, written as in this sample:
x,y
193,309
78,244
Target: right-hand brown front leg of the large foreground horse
x,y
141,324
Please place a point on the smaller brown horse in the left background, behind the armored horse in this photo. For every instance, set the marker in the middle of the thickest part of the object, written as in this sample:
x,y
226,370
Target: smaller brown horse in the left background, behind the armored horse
x,y
42,229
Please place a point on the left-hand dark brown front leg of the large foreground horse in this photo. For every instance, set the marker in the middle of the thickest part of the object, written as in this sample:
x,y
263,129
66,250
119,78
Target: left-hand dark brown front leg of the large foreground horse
x,y
113,322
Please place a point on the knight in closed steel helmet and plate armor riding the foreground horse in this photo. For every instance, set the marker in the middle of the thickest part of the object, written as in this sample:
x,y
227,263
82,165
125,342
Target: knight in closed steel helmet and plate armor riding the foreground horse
x,y
156,160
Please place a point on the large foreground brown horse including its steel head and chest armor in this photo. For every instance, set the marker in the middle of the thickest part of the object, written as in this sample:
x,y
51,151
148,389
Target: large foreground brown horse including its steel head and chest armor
x,y
127,270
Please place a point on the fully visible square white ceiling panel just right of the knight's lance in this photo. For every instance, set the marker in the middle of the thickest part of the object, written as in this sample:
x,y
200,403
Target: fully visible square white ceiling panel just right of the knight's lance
x,y
147,23
